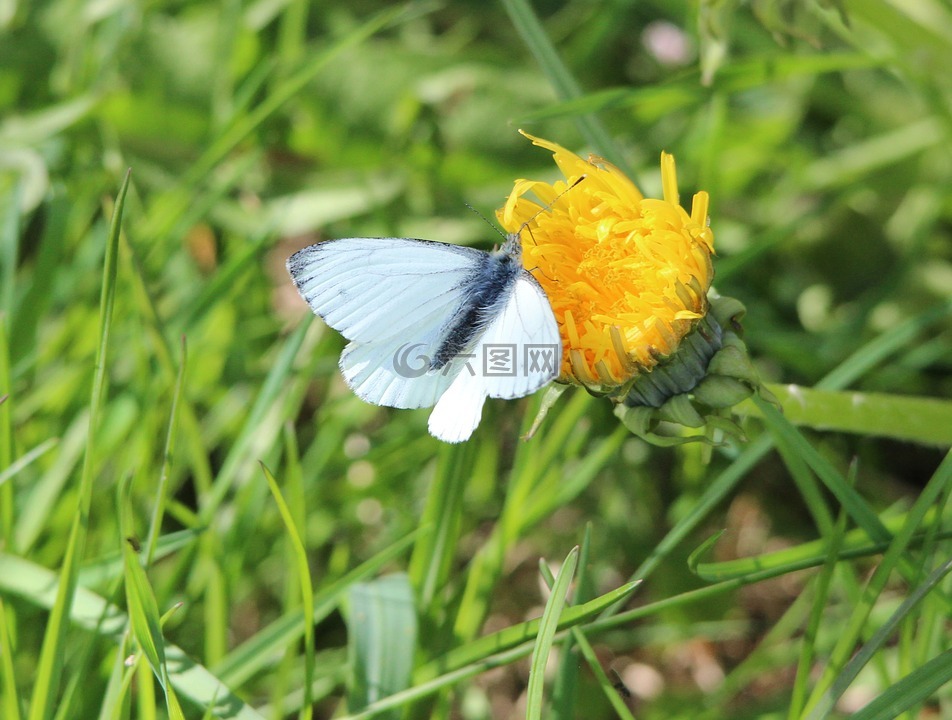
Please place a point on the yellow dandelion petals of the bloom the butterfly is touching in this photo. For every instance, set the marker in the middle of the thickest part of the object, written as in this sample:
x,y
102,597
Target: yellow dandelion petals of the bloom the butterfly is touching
x,y
627,276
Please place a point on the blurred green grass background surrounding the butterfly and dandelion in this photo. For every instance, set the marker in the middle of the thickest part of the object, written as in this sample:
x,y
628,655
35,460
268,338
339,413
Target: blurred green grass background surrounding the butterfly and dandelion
x,y
151,567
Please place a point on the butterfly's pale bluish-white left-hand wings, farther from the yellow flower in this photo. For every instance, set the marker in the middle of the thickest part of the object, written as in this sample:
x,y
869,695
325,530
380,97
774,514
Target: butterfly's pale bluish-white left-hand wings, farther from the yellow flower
x,y
392,298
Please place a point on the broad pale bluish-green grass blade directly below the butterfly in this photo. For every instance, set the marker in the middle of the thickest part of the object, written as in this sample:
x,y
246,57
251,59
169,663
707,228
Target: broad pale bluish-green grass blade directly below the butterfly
x,y
382,639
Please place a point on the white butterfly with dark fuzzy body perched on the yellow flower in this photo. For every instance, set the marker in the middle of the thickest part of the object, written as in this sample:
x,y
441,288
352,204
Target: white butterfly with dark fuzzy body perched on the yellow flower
x,y
432,324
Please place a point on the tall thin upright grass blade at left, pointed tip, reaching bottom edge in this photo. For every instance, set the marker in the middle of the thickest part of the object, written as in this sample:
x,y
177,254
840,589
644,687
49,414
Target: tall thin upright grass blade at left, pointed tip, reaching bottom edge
x,y
51,655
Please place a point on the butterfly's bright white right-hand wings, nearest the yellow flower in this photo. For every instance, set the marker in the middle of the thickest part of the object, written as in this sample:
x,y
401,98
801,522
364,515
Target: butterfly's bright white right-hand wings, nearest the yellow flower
x,y
518,352
